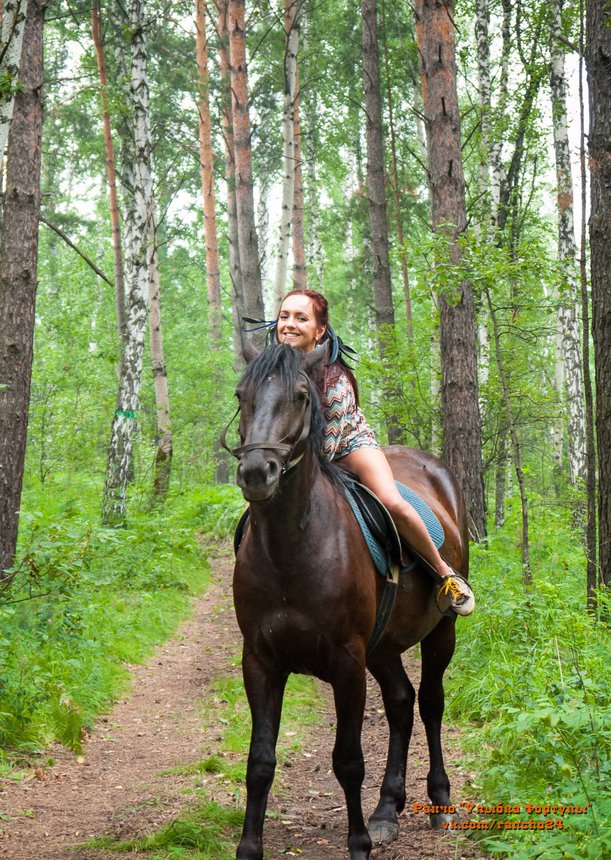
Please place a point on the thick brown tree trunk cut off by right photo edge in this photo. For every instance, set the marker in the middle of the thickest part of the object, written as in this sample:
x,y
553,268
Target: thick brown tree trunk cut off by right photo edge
x,y
598,54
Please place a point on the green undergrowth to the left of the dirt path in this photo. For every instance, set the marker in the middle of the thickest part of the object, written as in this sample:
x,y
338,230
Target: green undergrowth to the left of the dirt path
x,y
84,601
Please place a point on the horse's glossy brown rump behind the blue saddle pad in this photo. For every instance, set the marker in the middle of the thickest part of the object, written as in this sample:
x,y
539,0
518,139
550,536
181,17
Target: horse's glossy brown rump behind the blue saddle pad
x,y
431,479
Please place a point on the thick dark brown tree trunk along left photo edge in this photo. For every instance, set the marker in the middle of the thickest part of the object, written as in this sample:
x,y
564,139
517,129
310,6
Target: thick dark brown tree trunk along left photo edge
x,y
18,276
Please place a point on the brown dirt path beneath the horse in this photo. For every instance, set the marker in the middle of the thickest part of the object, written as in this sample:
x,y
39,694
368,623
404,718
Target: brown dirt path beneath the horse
x,y
122,784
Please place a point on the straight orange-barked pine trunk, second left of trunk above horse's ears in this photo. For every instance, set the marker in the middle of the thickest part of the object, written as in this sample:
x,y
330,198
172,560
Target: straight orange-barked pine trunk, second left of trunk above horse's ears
x,y
206,158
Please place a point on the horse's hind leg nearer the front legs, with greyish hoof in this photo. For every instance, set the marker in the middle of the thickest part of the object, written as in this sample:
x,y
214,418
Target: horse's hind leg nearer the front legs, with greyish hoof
x,y
399,696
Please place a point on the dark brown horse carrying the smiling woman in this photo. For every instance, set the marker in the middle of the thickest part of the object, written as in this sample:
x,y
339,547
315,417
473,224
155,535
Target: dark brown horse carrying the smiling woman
x,y
306,594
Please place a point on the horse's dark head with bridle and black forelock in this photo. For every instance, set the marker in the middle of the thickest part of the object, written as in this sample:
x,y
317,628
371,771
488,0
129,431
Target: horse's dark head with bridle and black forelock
x,y
277,401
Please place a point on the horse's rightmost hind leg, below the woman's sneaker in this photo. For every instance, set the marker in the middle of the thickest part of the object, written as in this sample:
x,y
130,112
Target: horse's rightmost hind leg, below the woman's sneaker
x,y
437,650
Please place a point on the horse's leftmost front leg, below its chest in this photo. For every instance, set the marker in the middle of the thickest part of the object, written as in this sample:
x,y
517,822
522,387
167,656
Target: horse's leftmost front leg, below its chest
x,y
265,690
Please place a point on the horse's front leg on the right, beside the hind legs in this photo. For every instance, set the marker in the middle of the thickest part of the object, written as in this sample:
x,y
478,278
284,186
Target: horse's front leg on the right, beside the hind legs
x,y
349,689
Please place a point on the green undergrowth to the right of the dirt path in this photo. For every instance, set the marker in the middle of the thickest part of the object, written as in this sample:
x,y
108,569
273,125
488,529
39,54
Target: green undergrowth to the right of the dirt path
x,y
531,678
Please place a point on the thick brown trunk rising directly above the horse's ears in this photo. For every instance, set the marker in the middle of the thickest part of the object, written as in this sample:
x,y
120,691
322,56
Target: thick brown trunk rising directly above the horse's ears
x,y
247,234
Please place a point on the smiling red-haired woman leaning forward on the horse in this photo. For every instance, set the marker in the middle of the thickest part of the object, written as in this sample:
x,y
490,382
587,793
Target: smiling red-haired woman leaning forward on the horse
x,y
303,323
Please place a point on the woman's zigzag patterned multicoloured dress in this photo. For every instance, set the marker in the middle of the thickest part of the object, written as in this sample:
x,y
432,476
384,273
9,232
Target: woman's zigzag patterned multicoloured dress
x,y
346,426
